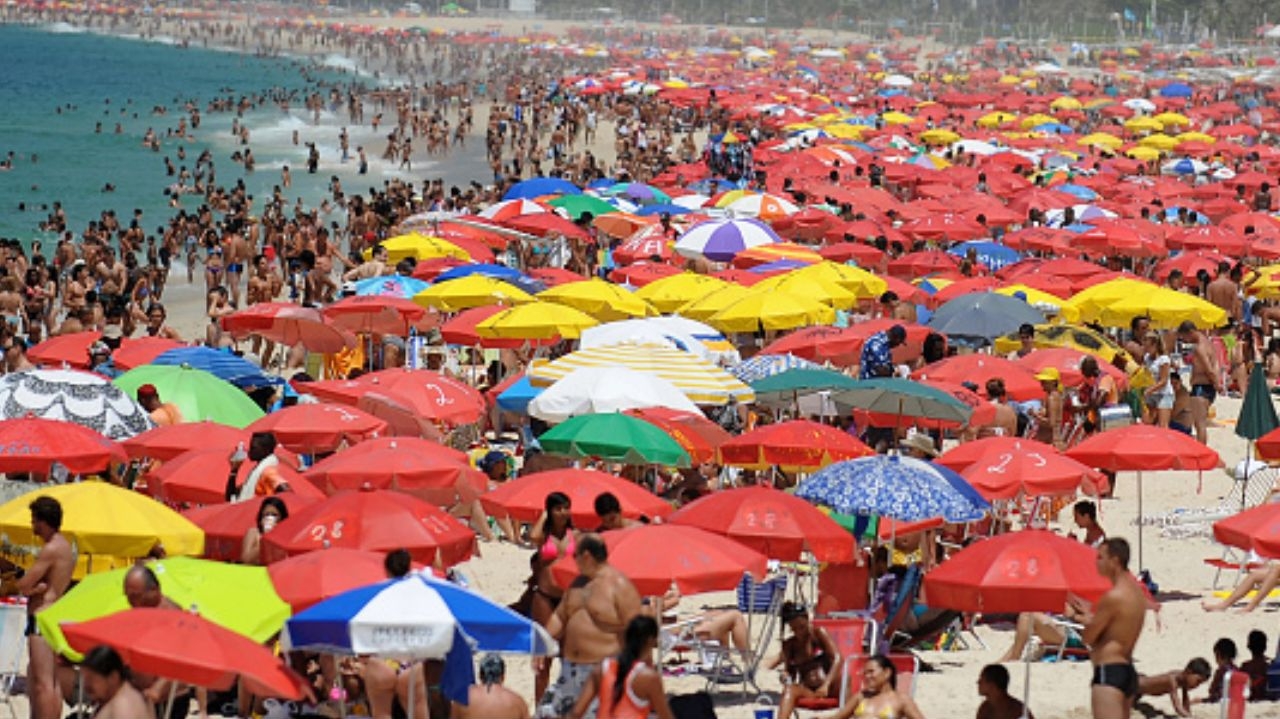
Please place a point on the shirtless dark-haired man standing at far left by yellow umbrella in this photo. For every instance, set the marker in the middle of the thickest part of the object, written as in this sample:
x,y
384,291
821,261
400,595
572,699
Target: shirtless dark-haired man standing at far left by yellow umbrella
x,y
44,584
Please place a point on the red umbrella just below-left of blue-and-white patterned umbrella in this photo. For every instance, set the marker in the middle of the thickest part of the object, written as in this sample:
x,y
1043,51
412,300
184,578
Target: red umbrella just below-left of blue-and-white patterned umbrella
x,y
771,523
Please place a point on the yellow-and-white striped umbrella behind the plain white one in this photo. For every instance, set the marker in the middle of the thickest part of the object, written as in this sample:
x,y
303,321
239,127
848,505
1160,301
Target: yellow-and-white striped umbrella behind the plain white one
x,y
701,381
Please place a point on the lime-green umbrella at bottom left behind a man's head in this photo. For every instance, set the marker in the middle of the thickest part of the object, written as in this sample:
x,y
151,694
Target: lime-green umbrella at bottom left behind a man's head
x,y
239,598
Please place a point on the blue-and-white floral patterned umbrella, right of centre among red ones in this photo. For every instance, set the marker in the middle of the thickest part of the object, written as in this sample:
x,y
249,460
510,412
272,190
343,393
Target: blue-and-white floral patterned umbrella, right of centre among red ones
x,y
899,488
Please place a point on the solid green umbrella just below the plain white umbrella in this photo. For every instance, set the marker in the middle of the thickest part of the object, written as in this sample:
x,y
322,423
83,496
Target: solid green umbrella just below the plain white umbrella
x,y
619,438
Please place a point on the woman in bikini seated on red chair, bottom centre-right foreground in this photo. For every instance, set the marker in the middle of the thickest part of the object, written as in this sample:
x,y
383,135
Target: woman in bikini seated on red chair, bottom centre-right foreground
x,y
812,665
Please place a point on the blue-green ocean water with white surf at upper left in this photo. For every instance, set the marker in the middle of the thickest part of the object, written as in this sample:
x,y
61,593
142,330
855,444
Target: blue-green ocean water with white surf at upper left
x,y
60,83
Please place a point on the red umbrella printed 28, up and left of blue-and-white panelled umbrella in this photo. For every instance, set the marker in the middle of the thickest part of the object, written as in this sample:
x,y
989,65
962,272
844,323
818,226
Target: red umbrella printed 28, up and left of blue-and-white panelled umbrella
x,y
374,521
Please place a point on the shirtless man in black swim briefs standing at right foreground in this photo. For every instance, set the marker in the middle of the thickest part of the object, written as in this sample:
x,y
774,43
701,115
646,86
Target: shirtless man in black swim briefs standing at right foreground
x,y
1112,630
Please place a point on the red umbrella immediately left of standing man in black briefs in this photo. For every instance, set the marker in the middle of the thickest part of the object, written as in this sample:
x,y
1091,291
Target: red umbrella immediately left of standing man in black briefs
x,y
1027,571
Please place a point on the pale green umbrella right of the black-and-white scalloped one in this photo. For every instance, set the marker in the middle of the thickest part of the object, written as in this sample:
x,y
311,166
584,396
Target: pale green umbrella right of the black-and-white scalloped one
x,y
198,395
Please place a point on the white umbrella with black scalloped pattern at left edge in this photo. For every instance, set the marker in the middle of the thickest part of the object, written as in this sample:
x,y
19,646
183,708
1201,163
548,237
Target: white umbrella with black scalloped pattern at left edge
x,y
75,397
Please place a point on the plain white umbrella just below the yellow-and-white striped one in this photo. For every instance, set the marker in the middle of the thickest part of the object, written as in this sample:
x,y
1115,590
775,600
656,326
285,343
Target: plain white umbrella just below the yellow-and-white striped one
x,y
597,391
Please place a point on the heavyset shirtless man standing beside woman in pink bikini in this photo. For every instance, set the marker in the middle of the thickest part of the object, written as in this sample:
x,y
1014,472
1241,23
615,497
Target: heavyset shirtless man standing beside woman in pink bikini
x,y
589,624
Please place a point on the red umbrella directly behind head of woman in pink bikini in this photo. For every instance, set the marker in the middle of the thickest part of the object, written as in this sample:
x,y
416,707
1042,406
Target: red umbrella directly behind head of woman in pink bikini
x,y
525,498
